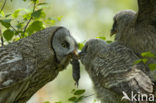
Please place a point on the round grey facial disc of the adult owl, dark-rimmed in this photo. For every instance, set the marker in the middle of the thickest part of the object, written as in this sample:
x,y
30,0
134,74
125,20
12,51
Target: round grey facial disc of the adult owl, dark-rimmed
x,y
63,44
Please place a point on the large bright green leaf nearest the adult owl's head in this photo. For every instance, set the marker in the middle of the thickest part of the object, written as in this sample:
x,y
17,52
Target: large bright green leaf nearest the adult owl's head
x,y
35,26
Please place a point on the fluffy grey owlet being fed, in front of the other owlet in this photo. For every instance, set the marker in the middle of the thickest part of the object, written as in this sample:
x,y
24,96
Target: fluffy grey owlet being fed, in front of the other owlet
x,y
112,70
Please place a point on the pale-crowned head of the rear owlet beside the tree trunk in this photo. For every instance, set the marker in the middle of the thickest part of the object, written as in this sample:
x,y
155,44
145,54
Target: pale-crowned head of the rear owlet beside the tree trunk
x,y
121,21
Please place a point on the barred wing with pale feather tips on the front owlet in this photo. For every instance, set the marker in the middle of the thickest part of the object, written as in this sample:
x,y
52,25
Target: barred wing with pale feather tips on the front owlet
x,y
115,71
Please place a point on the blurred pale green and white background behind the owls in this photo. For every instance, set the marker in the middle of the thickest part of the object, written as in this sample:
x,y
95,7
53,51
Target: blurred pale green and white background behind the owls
x,y
85,19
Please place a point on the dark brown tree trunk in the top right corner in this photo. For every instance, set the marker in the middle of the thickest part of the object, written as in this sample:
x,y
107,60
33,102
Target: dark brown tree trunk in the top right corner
x,y
146,12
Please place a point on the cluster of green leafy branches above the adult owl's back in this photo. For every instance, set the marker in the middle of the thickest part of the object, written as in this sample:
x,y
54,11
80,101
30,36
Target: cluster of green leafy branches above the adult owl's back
x,y
24,22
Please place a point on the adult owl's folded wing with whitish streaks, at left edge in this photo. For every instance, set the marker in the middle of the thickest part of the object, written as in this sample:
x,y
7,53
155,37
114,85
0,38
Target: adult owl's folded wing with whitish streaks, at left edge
x,y
12,68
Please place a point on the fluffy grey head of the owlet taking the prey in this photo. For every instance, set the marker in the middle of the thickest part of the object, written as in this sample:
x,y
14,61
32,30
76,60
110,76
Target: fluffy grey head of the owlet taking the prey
x,y
91,49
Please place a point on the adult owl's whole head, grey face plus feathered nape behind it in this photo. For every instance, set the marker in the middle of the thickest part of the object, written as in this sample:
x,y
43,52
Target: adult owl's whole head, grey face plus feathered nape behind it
x,y
55,44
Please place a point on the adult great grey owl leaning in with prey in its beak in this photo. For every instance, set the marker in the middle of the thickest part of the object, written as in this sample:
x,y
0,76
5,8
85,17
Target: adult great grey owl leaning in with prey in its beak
x,y
30,63
